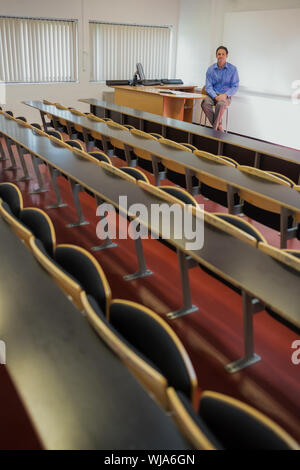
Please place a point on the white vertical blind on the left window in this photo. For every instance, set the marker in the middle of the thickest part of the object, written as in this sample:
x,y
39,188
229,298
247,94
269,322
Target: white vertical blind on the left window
x,y
38,50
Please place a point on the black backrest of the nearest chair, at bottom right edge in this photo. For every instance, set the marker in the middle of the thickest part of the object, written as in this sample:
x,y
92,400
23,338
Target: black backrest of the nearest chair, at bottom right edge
x,y
237,429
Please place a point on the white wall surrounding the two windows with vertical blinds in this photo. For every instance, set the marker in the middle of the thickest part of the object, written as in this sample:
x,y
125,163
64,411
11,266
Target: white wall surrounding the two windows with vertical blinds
x,y
132,11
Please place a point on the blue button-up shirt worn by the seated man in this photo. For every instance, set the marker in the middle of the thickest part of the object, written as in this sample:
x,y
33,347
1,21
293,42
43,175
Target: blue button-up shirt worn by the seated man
x,y
222,80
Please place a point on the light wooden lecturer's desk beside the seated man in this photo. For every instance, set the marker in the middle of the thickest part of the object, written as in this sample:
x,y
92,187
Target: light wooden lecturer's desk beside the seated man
x,y
177,102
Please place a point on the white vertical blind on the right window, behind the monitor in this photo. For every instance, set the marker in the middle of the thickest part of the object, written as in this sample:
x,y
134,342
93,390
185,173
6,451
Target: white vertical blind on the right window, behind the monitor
x,y
116,48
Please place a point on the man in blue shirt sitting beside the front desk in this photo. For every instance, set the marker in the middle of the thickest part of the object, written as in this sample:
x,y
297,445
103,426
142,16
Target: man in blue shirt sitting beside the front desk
x,y
222,82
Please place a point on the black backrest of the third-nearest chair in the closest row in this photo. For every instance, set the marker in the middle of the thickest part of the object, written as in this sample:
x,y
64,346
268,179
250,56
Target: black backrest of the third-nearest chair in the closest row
x,y
83,270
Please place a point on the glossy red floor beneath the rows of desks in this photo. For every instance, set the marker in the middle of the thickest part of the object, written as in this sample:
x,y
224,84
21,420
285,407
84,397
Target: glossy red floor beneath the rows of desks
x,y
213,335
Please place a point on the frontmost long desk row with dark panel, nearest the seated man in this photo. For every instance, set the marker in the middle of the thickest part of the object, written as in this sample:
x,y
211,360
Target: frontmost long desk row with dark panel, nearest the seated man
x,y
245,150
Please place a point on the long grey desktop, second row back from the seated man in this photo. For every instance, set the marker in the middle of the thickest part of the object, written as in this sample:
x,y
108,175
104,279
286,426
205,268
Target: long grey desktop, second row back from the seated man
x,y
287,197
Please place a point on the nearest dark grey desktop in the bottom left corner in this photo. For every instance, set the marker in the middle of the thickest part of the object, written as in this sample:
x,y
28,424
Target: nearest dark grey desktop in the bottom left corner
x,y
78,394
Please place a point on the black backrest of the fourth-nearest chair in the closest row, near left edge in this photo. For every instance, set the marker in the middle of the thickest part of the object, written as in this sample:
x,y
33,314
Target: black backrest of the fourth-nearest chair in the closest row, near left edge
x,y
39,226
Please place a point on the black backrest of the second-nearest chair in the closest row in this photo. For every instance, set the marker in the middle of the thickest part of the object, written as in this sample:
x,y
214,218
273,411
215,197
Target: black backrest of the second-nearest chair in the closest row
x,y
151,339
